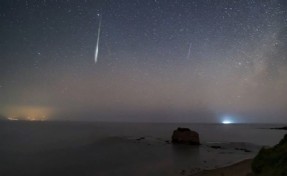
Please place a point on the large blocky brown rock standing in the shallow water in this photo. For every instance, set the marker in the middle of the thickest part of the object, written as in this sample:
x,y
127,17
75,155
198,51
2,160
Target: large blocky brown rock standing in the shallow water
x,y
185,136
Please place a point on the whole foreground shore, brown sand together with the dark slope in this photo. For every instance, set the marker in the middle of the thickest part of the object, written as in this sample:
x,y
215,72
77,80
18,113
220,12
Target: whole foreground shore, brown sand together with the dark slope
x,y
268,162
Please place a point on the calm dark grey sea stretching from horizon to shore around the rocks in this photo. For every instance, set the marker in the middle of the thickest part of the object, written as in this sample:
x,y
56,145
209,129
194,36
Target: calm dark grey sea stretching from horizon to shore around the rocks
x,y
97,148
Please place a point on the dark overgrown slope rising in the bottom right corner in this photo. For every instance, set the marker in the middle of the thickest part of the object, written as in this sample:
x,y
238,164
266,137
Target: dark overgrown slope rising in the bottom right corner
x,y
271,161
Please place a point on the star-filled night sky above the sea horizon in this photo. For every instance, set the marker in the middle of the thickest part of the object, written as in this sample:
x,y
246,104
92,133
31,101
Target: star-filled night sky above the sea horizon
x,y
158,60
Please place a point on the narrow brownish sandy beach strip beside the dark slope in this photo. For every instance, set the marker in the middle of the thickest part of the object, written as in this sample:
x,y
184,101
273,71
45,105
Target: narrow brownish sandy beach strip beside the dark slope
x,y
242,168
